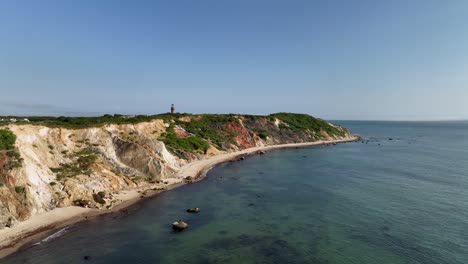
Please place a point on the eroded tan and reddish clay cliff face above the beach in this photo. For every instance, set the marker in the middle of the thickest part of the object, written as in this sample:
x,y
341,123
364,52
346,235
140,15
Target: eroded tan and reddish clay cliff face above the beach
x,y
87,167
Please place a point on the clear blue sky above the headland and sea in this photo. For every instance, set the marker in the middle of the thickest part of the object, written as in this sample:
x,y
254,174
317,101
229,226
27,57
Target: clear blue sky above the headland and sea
x,y
387,60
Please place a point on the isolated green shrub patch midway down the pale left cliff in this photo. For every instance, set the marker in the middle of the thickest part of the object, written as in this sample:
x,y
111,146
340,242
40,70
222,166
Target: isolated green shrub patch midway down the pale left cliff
x,y
86,158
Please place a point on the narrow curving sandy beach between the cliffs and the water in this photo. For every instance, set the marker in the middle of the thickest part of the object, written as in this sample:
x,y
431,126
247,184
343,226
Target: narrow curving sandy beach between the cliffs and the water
x,y
44,224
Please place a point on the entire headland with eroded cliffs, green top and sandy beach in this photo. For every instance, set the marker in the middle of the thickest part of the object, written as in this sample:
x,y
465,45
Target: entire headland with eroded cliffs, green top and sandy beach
x,y
56,171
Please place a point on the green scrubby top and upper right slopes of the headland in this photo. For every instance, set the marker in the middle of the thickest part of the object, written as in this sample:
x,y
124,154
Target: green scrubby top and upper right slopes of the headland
x,y
196,133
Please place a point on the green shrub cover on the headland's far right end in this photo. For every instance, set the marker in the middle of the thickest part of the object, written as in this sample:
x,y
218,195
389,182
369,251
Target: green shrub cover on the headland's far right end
x,y
303,121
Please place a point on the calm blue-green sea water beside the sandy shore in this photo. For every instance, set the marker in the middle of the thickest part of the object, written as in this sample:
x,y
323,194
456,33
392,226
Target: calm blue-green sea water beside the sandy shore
x,y
403,201
